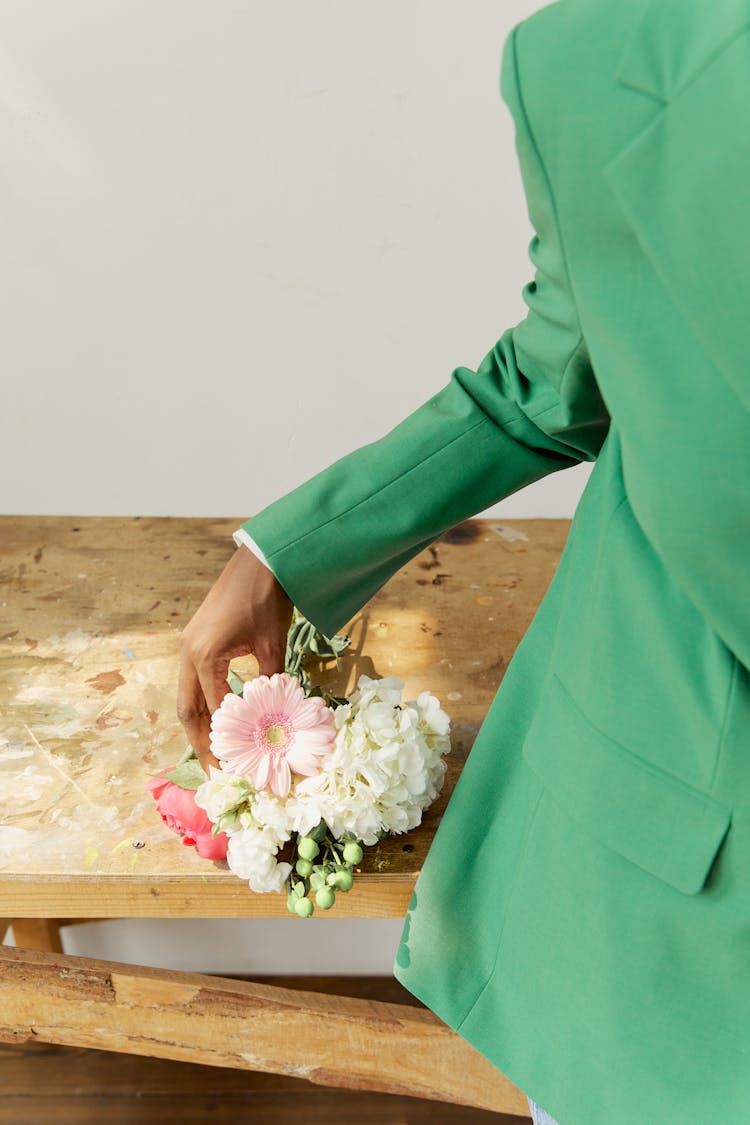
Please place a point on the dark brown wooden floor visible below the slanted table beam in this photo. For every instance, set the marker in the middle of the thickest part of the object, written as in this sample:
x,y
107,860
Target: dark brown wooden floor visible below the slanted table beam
x,y
44,1083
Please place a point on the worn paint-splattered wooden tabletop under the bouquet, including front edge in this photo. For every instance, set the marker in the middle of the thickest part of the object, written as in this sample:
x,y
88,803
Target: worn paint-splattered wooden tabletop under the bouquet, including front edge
x,y
91,617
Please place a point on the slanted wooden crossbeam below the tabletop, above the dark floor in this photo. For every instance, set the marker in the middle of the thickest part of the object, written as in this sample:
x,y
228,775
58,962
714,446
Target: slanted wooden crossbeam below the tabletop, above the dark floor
x,y
329,1040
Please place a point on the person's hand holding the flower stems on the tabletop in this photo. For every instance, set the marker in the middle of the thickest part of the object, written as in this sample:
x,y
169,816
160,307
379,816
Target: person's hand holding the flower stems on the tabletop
x,y
247,610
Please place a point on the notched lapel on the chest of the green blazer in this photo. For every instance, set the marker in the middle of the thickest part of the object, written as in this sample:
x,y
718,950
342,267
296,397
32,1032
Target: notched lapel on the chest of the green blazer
x,y
683,182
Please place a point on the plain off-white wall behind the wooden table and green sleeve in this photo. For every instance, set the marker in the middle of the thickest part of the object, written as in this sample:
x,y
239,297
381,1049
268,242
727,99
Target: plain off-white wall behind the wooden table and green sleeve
x,y
241,240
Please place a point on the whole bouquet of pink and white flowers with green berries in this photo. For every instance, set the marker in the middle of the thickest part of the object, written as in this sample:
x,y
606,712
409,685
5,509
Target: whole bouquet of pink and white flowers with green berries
x,y
322,775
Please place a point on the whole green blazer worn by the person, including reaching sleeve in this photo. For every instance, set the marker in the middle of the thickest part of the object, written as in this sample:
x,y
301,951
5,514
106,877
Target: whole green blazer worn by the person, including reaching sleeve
x,y
583,917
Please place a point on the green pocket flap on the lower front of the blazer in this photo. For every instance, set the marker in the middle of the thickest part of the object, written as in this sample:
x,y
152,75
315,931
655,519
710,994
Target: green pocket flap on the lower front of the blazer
x,y
647,815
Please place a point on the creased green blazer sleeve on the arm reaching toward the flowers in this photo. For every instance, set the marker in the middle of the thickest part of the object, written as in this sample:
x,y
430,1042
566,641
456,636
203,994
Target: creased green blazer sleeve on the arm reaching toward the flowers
x,y
531,408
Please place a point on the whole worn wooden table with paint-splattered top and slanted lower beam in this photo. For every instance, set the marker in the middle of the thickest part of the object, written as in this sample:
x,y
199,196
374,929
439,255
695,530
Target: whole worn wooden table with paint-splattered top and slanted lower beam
x,y
91,618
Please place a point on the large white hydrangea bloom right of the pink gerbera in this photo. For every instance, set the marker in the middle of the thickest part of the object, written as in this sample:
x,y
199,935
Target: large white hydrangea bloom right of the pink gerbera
x,y
387,762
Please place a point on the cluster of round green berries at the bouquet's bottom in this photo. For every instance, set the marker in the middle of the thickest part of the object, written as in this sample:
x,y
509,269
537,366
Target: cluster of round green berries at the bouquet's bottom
x,y
332,872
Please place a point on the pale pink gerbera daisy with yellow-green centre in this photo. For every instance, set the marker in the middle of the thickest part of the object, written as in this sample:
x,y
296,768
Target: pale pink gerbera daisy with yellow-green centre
x,y
272,731
